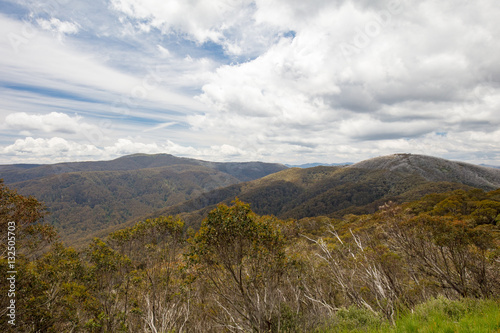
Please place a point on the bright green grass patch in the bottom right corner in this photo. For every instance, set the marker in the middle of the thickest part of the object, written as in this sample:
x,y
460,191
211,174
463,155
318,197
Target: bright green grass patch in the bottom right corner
x,y
437,315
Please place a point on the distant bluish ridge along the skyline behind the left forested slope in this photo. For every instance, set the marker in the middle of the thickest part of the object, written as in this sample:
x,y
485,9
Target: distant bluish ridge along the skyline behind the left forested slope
x,y
242,171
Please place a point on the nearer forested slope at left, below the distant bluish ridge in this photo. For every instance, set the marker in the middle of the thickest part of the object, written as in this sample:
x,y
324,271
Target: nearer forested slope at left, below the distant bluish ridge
x,y
87,202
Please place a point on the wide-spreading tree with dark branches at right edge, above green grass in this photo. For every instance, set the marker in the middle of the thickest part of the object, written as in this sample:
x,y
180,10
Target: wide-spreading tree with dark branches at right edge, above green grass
x,y
456,256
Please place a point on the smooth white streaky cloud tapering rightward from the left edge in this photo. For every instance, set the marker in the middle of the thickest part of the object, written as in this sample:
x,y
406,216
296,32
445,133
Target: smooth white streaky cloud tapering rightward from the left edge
x,y
32,58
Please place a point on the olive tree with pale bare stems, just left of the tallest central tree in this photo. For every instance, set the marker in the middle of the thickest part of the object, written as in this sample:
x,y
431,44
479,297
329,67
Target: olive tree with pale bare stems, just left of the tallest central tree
x,y
154,247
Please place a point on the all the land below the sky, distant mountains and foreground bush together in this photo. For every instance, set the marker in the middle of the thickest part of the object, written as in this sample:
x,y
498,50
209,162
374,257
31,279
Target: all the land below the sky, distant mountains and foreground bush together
x,y
195,246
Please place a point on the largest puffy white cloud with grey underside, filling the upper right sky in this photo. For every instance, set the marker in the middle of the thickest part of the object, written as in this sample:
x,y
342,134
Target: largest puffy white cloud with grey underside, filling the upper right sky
x,y
357,71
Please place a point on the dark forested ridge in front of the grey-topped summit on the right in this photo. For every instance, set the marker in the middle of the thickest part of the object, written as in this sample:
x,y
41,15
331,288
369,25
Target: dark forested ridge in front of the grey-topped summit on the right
x,y
319,191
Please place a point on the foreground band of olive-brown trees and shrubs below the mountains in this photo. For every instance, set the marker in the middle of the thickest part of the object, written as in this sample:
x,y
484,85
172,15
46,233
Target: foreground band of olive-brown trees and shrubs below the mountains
x,y
245,272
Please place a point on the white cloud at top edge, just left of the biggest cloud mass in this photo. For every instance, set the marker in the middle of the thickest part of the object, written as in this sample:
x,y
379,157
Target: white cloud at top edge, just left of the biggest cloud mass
x,y
230,24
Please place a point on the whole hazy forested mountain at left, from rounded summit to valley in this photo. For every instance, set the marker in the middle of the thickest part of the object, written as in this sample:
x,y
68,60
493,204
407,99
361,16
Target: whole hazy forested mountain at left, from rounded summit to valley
x,y
85,197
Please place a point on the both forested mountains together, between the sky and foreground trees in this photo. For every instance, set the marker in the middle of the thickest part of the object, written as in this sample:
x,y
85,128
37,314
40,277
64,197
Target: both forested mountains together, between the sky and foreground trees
x,y
92,198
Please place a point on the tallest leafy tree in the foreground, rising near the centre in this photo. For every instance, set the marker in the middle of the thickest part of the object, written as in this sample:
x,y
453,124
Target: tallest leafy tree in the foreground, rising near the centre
x,y
242,258
